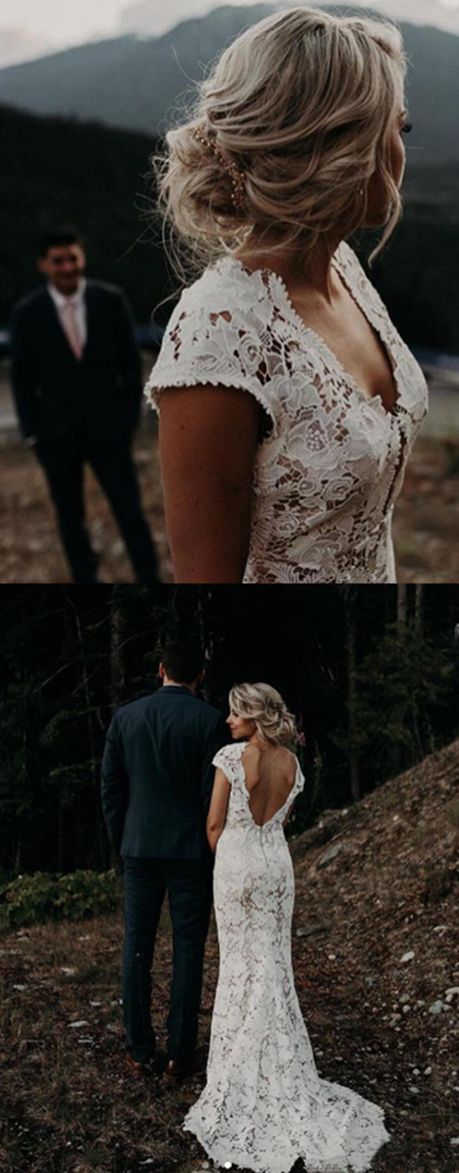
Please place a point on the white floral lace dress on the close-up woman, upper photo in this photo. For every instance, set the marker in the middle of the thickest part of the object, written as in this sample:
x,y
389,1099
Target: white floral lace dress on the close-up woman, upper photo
x,y
332,466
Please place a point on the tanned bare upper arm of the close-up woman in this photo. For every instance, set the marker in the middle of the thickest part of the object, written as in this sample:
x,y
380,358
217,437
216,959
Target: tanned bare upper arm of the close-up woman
x,y
208,438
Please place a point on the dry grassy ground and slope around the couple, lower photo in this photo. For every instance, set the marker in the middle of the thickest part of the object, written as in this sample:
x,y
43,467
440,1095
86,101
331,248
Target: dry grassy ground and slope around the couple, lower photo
x,y
374,955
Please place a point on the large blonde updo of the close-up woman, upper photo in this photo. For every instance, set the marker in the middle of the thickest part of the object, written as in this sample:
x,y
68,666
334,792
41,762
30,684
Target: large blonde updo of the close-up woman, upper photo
x,y
303,105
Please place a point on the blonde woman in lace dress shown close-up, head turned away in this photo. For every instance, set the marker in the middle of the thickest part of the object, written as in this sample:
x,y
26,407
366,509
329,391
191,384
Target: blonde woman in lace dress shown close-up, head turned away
x,y
288,403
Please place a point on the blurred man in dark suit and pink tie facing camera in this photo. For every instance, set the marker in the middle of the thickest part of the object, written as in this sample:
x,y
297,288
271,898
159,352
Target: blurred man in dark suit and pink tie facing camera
x,y
77,382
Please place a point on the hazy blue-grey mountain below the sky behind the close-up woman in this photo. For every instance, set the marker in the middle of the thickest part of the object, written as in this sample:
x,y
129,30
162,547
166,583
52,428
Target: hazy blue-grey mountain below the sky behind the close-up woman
x,y
96,82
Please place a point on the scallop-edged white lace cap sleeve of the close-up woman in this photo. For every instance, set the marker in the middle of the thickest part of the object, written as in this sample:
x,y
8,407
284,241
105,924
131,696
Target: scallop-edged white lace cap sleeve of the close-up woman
x,y
210,340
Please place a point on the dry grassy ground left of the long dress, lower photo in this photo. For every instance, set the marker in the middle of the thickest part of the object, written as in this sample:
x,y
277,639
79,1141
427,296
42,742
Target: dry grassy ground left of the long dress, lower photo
x,y
67,1101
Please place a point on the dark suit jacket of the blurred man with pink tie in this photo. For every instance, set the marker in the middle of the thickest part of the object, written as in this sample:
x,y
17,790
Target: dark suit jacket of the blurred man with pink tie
x,y
60,398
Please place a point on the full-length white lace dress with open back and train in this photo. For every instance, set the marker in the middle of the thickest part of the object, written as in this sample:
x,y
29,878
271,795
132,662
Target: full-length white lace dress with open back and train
x,y
265,1104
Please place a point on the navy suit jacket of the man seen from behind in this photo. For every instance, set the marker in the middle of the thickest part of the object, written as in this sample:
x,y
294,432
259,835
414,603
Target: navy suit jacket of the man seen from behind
x,y
158,775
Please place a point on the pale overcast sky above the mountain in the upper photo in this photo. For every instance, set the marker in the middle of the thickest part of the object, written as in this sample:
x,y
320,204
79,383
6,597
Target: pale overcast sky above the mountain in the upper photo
x,y
60,23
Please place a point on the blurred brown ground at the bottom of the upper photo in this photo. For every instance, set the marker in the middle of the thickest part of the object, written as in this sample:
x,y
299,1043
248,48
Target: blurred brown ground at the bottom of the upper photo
x,y
426,531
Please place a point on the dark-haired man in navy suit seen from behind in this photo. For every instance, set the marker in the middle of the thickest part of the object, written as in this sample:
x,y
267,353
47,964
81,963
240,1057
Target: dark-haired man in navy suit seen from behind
x,y
157,785
